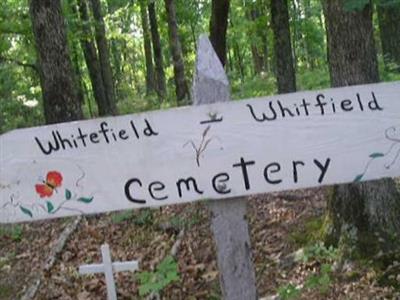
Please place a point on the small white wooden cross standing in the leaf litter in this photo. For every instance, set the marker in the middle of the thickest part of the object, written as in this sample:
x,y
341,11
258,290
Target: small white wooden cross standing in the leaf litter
x,y
108,267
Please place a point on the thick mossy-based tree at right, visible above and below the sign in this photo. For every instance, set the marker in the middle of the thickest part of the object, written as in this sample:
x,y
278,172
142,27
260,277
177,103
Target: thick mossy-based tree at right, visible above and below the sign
x,y
365,214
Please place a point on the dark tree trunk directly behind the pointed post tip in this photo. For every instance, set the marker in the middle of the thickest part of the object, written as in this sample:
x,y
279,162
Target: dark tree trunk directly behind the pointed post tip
x,y
218,27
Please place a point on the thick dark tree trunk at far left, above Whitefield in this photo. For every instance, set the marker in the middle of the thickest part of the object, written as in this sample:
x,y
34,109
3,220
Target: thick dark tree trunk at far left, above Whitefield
x,y
60,99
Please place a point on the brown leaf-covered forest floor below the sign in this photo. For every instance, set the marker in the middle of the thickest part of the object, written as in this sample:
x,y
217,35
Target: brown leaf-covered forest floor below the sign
x,y
279,224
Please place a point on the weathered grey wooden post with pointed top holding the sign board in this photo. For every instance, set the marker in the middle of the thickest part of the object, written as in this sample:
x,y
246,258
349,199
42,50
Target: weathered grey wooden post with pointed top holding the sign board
x,y
229,226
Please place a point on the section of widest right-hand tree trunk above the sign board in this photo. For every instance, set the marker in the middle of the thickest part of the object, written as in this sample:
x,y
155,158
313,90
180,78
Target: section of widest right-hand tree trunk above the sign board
x,y
351,47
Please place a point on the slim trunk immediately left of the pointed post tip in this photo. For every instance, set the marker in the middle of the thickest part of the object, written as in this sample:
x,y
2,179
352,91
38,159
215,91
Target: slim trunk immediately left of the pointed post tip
x,y
181,88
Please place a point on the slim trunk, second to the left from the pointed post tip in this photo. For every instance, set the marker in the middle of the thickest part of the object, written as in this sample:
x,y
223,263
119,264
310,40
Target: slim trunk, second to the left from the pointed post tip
x,y
157,50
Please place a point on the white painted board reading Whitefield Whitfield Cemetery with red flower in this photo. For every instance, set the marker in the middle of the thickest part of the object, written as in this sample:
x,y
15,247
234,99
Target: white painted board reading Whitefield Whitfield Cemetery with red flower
x,y
223,150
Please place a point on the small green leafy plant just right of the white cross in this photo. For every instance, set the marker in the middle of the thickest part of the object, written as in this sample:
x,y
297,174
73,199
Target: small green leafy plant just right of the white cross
x,y
154,282
